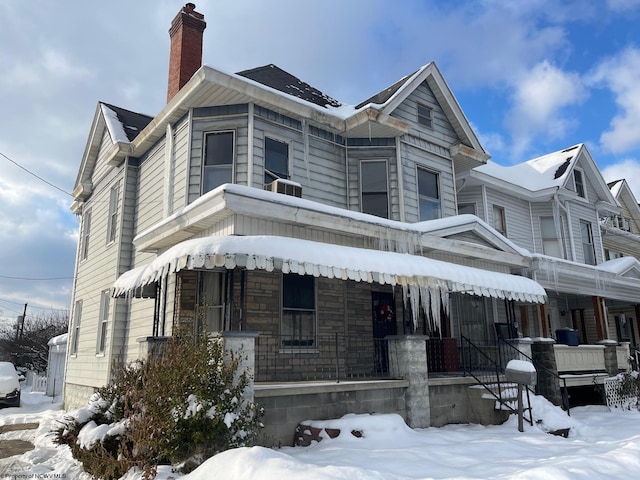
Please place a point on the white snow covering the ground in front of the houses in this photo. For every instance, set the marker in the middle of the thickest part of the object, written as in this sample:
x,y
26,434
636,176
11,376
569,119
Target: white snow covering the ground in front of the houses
x,y
601,444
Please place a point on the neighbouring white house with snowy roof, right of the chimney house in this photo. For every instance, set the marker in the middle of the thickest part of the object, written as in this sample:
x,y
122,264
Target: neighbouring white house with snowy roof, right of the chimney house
x,y
560,209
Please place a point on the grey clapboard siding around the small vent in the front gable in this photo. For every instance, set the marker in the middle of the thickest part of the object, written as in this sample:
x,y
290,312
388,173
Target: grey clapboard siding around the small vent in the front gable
x,y
441,131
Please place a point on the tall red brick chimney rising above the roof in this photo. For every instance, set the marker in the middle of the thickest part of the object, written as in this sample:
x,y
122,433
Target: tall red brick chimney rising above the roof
x,y
185,57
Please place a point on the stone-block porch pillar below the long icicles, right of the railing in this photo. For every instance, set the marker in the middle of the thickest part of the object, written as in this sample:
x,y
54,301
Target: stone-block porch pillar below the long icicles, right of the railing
x,y
408,360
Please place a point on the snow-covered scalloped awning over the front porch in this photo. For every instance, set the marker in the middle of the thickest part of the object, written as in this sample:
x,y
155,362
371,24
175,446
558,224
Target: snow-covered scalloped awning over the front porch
x,y
291,255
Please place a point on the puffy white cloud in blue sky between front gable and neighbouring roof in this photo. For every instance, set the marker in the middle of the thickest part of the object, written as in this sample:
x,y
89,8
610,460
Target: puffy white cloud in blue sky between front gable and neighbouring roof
x,y
539,99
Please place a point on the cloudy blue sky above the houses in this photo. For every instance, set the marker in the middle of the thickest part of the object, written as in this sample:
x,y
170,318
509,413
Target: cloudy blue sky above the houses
x,y
532,76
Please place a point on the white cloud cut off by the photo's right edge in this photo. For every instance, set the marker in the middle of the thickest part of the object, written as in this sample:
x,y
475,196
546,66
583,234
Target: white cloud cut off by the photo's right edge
x,y
621,74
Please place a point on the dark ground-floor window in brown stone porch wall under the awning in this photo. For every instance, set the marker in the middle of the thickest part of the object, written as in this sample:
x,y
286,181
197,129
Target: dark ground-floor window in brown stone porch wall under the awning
x,y
298,310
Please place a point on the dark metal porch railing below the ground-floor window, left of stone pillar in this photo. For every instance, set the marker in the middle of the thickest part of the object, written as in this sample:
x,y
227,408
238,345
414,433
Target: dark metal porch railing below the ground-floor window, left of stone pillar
x,y
323,357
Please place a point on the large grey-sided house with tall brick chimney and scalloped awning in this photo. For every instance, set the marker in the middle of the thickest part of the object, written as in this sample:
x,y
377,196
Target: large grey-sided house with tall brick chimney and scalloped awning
x,y
322,237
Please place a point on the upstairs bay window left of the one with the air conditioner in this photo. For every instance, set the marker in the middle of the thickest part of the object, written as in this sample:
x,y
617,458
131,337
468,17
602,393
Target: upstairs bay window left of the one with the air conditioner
x,y
218,160
